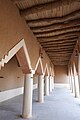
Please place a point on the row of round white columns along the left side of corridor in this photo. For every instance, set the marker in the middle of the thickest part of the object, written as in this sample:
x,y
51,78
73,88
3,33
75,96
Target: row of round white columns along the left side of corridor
x,y
45,86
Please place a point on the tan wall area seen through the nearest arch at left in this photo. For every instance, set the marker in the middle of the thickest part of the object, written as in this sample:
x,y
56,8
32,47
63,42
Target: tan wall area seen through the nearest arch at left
x,y
12,76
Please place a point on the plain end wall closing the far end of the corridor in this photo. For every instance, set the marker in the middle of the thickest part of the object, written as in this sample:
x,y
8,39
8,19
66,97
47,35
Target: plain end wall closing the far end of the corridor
x,y
61,74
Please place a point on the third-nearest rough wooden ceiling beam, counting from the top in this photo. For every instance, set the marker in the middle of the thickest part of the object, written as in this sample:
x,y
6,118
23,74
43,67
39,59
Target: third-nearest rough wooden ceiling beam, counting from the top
x,y
56,26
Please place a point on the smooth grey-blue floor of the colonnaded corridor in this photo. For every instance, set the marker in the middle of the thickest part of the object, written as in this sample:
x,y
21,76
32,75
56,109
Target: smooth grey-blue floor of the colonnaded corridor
x,y
59,105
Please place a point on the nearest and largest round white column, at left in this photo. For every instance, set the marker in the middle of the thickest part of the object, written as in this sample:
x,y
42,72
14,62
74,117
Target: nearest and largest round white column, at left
x,y
27,96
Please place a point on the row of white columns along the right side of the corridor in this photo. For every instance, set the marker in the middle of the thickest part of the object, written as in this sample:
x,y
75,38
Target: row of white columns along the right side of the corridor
x,y
74,78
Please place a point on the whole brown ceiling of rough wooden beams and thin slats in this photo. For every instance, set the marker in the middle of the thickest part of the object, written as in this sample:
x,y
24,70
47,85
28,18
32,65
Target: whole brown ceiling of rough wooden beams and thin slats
x,y
55,24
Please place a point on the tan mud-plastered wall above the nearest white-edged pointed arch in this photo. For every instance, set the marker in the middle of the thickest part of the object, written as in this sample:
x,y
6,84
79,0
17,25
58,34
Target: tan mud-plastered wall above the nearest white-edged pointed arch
x,y
13,28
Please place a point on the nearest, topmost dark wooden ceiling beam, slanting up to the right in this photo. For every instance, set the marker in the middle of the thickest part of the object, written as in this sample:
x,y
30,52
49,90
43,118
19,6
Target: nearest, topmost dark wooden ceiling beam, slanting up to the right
x,y
45,7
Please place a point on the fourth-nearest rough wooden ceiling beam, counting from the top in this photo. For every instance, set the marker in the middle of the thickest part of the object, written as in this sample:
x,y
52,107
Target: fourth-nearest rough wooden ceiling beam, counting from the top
x,y
57,32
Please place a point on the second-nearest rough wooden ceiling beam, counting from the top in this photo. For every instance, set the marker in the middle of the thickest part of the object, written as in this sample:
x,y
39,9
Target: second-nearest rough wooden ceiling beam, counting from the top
x,y
50,21
